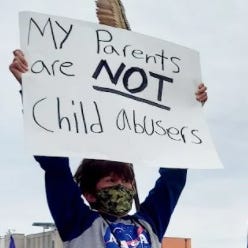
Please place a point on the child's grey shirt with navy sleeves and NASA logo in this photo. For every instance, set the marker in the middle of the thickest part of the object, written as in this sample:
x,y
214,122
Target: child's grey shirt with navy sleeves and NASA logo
x,y
81,227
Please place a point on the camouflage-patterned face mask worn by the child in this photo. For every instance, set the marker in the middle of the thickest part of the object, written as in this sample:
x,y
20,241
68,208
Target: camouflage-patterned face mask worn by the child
x,y
115,200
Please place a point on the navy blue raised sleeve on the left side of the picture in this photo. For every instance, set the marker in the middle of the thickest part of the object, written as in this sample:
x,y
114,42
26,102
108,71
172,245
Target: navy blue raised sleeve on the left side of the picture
x,y
71,215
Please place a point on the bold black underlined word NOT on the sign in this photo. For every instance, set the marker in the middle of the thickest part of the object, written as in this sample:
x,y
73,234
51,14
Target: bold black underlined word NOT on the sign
x,y
128,84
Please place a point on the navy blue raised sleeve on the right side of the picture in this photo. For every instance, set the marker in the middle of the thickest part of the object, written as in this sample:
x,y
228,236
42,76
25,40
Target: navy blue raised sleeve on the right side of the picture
x,y
162,199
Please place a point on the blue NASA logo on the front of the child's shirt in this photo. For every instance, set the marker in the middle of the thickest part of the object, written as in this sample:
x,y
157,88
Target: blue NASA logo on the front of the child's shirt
x,y
126,236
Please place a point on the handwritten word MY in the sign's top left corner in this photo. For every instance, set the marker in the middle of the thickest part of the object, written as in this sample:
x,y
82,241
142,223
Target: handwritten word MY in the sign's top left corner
x,y
54,27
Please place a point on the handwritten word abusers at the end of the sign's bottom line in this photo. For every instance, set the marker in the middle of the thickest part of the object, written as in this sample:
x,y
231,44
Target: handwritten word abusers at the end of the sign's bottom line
x,y
149,126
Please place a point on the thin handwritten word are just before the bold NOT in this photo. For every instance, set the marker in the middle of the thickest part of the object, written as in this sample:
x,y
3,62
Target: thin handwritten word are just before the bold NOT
x,y
56,67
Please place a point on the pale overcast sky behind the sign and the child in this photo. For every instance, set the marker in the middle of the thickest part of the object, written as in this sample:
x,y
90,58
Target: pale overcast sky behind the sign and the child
x,y
213,209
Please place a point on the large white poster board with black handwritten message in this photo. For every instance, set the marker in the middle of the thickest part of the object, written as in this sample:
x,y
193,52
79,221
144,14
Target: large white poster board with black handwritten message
x,y
100,92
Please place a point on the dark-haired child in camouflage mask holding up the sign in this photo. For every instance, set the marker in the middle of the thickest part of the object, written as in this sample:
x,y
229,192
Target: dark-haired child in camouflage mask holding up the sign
x,y
109,188
